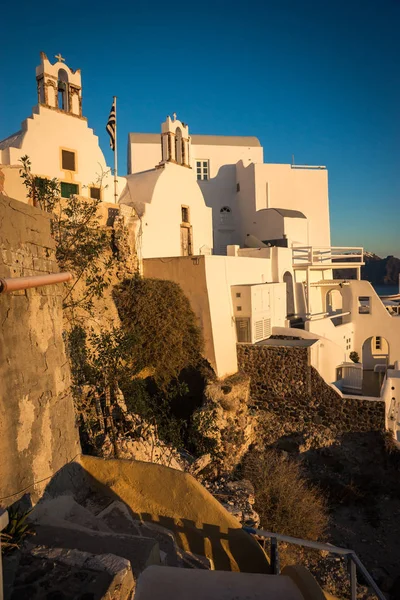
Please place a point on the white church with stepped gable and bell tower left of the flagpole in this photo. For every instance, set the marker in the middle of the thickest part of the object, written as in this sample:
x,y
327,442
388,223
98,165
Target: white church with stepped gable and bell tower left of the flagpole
x,y
57,140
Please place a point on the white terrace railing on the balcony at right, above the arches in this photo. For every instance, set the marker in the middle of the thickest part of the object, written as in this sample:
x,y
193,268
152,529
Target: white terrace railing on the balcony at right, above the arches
x,y
328,257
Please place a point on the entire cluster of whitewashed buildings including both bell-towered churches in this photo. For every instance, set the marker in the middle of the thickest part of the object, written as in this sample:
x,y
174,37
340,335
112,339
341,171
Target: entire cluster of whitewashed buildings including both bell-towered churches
x,y
248,242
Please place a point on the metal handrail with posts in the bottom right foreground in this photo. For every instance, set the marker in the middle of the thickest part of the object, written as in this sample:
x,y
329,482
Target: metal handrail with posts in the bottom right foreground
x,y
354,563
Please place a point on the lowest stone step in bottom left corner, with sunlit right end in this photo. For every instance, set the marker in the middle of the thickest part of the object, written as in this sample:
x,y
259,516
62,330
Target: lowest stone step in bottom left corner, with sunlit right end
x,y
63,574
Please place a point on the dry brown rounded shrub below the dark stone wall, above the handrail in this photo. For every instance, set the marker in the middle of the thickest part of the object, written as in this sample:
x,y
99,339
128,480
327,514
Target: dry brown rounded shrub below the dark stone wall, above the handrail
x,y
286,502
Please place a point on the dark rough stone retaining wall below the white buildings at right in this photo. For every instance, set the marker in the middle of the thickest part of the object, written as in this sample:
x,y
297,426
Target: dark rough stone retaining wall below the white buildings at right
x,y
284,383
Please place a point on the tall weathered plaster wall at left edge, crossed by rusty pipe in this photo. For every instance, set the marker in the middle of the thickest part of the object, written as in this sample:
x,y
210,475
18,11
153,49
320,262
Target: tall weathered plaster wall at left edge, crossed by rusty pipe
x,y
37,421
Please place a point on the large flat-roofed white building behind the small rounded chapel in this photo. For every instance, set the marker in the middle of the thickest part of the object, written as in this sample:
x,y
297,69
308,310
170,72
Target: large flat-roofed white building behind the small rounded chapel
x,y
242,190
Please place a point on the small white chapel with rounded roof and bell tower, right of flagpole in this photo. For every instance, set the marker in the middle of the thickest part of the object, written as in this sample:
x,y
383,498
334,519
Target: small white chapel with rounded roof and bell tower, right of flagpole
x,y
170,213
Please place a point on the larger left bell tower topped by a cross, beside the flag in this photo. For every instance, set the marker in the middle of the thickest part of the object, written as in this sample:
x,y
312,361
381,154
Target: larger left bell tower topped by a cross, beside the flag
x,y
58,86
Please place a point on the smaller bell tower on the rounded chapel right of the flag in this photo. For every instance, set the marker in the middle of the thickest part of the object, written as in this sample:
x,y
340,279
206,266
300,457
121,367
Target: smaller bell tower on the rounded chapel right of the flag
x,y
175,142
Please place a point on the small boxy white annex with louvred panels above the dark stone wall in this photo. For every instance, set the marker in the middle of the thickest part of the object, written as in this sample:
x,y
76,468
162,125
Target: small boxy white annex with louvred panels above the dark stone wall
x,y
256,309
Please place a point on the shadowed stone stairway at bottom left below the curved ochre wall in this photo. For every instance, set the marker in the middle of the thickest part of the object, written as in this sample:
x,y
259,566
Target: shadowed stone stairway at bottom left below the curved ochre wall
x,y
100,551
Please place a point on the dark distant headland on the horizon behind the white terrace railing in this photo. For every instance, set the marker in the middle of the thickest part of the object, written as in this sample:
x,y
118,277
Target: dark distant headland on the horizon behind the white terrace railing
x,y
379,271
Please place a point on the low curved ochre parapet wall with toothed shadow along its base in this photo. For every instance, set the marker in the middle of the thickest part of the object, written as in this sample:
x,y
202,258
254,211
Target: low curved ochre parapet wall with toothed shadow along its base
x,y
166,497
